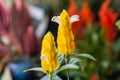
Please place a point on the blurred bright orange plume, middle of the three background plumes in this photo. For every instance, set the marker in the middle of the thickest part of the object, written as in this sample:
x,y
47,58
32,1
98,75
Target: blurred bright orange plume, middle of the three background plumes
x,y
86,14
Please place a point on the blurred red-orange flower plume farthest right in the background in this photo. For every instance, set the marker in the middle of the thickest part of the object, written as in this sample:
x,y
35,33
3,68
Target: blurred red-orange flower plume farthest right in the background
x,y
107,19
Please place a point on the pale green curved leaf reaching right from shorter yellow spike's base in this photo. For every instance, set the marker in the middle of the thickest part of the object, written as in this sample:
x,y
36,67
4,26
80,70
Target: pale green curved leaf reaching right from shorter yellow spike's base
x,y
66,67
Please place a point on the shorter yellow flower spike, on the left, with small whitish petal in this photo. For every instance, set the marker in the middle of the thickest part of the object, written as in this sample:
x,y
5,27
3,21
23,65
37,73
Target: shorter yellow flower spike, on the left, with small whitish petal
x,y
49,60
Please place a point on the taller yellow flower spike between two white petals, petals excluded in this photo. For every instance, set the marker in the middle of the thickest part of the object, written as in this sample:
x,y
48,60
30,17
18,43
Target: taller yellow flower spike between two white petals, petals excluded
x,y
65,38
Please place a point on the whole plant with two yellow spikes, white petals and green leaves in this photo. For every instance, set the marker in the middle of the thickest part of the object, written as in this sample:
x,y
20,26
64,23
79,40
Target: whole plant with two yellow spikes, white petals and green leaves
x,y
52,57
